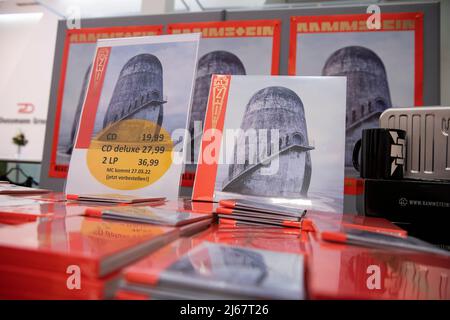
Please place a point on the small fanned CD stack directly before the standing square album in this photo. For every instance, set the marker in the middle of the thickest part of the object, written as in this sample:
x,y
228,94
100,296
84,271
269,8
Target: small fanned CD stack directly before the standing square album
x,y
249,212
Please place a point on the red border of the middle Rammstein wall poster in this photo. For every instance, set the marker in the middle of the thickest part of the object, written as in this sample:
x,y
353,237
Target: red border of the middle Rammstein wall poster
x,y
242,23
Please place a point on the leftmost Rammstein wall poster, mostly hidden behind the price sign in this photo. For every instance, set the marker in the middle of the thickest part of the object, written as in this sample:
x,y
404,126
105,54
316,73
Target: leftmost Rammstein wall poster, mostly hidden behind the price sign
x,y
79,49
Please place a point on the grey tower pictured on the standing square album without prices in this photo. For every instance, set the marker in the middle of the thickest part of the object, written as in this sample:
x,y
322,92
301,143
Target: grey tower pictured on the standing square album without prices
x,y
281,109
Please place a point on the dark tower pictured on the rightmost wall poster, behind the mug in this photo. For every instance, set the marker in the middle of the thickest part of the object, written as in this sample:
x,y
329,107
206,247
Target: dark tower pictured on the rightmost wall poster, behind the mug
x,y
367,90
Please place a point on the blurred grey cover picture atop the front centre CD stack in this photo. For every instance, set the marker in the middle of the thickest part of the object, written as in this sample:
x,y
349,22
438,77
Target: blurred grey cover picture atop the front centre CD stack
x,y
238,271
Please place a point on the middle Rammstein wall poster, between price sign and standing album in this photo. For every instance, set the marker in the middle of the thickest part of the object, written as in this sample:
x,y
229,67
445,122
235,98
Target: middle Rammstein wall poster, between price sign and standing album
x,y
227,47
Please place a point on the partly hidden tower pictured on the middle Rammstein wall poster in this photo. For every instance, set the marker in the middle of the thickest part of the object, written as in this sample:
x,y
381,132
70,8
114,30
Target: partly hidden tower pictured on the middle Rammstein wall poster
x,y
214,62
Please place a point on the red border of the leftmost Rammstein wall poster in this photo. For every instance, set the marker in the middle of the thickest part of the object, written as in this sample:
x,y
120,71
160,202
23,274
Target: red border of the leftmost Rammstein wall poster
x,y
53,173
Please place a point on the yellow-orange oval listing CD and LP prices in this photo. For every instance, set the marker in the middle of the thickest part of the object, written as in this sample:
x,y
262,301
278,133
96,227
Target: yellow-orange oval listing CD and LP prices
x,y
130,154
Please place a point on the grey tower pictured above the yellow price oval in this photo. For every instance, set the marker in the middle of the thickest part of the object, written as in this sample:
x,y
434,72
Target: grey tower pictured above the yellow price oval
x,y
138,93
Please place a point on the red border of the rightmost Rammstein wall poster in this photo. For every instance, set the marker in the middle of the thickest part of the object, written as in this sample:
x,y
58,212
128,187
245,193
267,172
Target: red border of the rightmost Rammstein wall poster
x,y
353,186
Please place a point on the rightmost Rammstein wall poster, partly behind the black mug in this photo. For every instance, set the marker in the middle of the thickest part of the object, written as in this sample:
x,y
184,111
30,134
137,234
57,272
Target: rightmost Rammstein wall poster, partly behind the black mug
x,y
383,66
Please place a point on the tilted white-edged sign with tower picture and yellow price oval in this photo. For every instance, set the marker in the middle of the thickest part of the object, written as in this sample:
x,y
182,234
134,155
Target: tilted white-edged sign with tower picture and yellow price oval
x,y
131,135
